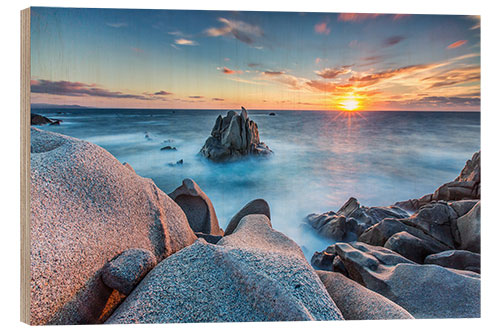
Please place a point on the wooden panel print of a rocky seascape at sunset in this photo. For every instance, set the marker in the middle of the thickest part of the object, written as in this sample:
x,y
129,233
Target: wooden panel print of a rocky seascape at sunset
x,y
218,166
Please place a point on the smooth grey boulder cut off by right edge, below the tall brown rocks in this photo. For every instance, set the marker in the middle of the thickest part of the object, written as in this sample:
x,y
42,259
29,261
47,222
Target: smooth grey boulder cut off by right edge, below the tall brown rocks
x,y
469,229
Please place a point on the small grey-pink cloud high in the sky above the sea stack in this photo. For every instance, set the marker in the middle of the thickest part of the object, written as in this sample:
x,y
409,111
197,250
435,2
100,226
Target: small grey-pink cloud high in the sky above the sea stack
x,y
244,32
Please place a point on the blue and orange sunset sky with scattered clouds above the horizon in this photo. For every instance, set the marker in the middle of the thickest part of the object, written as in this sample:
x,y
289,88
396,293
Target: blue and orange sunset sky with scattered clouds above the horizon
x,y
118,58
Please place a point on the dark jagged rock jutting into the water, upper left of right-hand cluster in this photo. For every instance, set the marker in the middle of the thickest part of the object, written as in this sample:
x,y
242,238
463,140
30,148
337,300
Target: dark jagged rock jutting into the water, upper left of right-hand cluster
x,y
351,220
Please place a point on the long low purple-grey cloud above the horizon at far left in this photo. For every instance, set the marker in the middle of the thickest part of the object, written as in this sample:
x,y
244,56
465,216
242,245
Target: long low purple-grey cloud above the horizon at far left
x,y
67,88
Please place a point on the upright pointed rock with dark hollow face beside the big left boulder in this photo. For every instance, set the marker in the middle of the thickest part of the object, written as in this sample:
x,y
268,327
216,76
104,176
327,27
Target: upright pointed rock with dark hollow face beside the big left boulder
x,y
198,208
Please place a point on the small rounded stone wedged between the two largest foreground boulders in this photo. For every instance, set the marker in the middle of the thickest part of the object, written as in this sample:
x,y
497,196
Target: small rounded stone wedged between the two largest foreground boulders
x,y
125,271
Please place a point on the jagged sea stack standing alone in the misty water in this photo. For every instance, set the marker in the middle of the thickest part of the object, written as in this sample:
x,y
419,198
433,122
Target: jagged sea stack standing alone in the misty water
x,y
232,137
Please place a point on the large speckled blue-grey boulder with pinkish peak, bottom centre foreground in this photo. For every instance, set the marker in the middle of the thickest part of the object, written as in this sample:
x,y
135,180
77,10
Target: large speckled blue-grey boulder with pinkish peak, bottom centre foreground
x,y
254,274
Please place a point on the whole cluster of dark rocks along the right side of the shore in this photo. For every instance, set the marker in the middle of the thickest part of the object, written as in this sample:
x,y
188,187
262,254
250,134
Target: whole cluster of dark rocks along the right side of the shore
x,y
422,254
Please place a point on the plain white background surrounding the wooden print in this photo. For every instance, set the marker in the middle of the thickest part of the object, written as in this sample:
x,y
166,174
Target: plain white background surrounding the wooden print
x,y
490,108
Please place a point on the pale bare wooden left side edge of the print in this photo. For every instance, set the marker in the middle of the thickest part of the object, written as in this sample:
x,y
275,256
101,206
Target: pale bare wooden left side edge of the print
x,y
25,164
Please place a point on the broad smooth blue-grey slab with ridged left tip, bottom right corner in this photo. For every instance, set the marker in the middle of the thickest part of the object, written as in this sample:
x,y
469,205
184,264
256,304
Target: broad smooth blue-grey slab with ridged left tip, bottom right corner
x,y
426,291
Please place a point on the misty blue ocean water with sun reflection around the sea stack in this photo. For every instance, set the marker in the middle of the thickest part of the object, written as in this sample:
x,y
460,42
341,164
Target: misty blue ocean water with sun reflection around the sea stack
x,y
320,160
